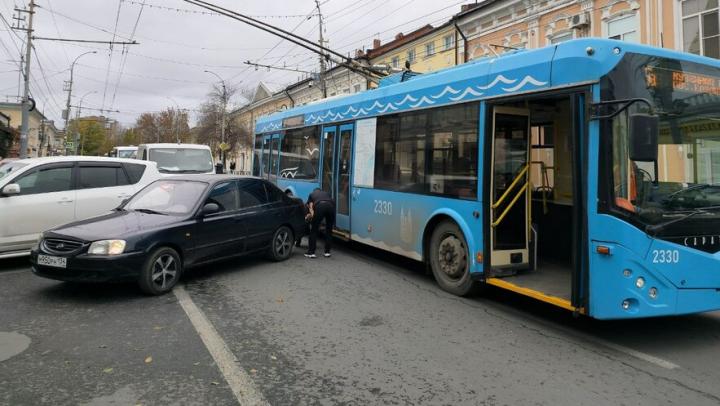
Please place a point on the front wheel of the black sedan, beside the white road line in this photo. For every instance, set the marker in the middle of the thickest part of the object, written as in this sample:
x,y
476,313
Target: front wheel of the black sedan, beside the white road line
x,y
161,271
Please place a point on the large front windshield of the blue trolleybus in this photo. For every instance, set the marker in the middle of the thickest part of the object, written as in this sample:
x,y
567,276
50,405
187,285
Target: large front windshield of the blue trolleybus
x,y
686,175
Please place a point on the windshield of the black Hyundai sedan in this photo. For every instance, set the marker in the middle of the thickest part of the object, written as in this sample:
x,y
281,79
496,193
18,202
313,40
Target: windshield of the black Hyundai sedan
x,y
167,197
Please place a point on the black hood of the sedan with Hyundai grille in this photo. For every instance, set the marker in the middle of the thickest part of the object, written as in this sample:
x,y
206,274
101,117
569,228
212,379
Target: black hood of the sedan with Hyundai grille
x,y
116,224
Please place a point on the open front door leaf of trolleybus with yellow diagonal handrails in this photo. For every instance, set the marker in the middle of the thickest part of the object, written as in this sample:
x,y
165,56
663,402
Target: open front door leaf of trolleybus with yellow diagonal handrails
x,y
510,191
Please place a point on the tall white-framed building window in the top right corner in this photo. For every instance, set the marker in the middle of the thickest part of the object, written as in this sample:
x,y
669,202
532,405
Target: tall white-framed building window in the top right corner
x,y
700,27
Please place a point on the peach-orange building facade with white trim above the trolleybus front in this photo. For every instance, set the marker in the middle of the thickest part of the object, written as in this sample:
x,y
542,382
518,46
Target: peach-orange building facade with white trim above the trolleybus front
x,y
495,26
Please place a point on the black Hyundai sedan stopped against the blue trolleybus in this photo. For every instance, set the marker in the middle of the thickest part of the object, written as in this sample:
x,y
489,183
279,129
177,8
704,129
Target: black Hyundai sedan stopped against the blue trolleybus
x,y
171,225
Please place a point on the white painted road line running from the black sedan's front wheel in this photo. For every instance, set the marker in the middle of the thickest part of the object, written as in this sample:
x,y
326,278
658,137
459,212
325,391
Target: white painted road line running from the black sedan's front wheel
x,y
240,382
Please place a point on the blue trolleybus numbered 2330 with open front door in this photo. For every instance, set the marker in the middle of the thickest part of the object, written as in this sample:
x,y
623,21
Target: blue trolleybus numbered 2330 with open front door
x,y
585,174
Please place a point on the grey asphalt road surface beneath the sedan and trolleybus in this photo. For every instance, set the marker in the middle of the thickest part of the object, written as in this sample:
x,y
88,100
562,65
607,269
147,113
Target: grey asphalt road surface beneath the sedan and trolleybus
x,y
359,328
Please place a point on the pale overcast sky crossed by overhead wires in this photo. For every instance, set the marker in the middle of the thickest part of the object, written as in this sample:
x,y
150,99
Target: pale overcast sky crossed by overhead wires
x,y
177,44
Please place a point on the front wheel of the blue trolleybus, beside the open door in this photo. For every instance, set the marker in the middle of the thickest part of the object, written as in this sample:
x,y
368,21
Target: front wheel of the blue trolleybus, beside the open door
x,y
450,260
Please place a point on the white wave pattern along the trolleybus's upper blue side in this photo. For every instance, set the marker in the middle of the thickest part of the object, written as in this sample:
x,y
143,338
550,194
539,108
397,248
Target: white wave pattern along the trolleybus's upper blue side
x,y
378,107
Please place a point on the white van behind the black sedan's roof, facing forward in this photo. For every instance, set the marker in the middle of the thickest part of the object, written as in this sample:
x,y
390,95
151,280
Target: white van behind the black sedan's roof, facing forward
x,y
178,158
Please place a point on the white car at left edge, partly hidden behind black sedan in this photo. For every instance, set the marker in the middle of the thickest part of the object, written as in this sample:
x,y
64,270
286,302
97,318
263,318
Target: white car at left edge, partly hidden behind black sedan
x,y
40,193
